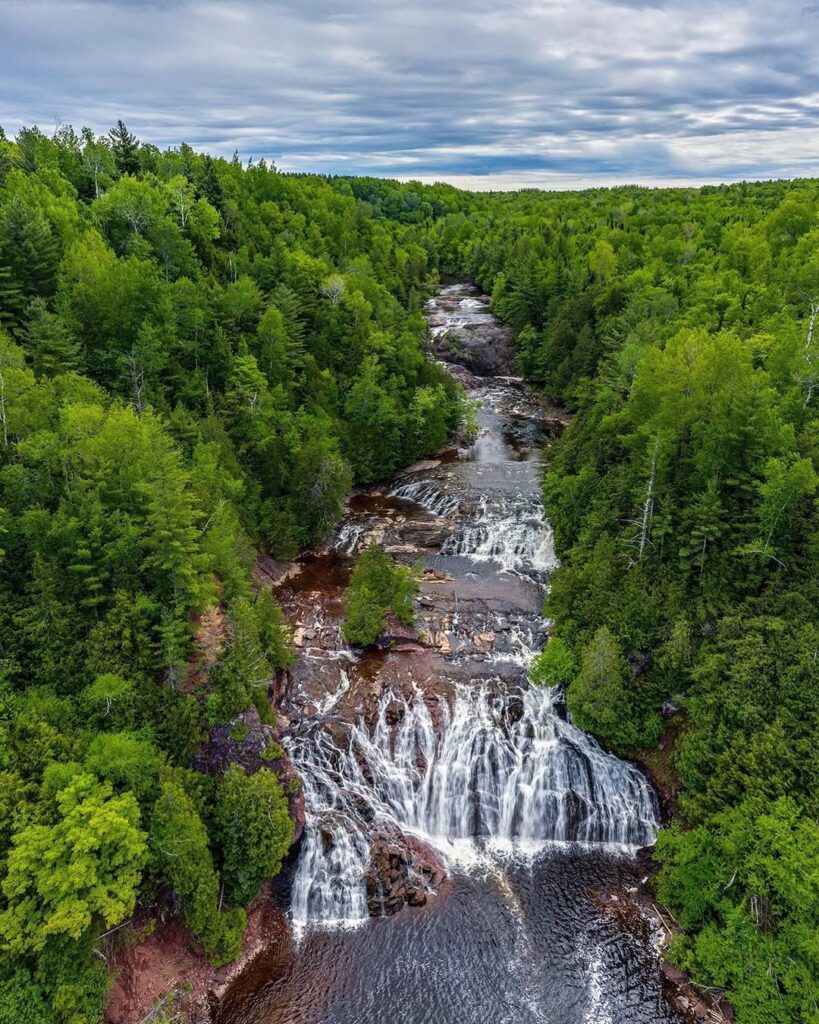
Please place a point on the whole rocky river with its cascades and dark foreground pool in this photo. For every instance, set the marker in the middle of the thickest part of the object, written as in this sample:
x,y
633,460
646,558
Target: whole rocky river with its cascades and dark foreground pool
x,y
464,844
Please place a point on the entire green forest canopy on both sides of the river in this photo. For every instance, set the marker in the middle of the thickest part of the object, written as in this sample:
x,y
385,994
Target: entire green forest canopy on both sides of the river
x,y
200,359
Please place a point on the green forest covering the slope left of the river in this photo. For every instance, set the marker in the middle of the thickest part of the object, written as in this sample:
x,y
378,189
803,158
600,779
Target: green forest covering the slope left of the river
x,y
198,361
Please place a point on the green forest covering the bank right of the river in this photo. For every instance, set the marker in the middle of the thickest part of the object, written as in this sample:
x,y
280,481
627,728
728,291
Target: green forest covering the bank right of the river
x,y
678,326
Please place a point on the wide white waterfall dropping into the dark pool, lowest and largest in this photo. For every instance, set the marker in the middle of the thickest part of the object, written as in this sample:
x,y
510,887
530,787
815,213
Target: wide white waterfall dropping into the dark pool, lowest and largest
x,y
498,770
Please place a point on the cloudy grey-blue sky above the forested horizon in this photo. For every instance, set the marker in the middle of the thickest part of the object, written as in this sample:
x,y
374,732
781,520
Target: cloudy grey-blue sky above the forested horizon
x,y
483,94
